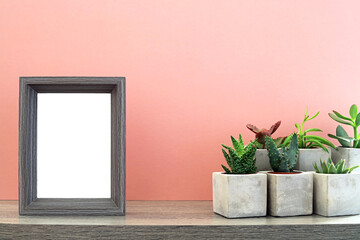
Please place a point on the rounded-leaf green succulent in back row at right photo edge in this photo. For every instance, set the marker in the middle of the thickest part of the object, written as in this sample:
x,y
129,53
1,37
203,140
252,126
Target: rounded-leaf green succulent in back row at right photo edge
x,y
341,134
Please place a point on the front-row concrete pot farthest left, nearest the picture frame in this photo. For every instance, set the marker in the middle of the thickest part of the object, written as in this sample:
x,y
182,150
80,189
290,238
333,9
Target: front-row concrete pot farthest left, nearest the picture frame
x,y
239,195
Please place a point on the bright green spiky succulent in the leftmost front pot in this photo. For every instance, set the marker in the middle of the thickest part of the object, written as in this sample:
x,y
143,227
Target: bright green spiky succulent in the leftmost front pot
x,y
241,159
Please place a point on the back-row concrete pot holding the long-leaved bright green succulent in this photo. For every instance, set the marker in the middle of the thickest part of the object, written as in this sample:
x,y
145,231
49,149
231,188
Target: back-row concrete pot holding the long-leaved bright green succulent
x,y
307,156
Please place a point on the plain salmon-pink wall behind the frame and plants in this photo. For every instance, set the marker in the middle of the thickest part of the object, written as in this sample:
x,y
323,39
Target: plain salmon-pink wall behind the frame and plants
x,y
197,72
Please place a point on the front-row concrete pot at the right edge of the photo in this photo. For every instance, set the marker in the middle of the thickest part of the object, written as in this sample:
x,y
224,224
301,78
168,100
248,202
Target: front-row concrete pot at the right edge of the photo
x,y
336,194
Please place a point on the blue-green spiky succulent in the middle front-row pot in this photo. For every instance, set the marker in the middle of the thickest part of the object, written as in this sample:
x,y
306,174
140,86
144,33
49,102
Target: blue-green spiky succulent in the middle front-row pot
x,y
283,160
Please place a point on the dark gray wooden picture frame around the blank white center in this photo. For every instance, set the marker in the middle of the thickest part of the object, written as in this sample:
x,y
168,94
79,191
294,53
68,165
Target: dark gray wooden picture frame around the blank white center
x,y
29,204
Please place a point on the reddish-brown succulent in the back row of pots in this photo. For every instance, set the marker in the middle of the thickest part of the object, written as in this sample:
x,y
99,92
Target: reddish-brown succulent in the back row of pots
x,y
261,134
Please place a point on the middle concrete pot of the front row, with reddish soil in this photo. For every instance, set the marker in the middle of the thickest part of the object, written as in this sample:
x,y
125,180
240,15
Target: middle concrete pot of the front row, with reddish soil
x,y
290,194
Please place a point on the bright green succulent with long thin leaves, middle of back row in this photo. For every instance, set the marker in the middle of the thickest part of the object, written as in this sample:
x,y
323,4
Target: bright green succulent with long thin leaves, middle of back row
x,y
309,141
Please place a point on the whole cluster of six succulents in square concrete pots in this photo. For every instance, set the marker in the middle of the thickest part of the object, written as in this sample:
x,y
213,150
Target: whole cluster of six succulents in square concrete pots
x,y
281,176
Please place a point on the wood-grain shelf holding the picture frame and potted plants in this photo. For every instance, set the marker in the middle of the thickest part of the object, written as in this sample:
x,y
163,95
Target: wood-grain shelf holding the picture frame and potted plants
x,y
172,220
